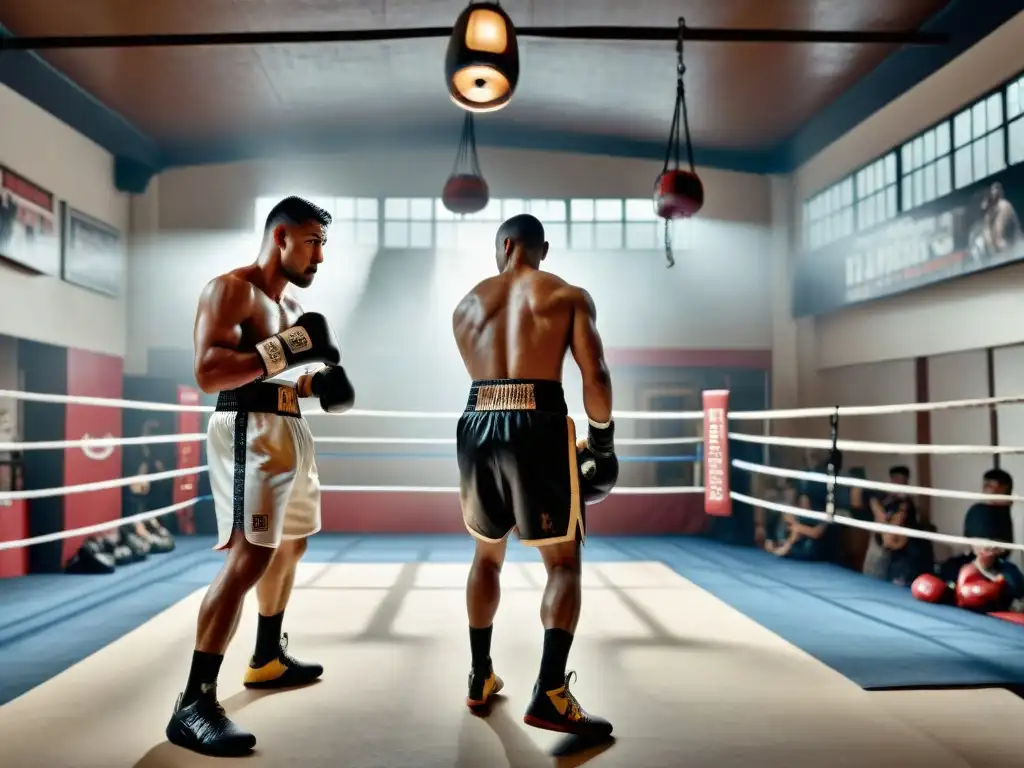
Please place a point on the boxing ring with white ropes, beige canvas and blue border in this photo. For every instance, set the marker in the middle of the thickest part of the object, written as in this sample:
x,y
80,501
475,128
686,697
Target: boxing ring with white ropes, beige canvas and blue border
x,y
701,653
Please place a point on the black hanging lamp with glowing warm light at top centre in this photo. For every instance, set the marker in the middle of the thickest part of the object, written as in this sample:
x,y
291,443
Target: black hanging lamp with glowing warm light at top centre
x,y
483,63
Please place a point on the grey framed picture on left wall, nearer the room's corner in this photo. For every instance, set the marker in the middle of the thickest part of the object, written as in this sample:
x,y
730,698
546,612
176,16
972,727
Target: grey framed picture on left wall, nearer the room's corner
x,y
94,253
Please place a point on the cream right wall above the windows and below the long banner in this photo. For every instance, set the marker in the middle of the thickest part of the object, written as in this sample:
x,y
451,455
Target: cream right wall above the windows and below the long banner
x,y
969,314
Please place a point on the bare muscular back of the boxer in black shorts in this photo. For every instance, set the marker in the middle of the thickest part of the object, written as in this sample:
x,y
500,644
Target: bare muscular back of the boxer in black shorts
x,y
520,324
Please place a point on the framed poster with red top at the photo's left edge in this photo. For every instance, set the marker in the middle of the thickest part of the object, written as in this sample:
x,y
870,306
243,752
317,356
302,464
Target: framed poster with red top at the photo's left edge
x,y
29,235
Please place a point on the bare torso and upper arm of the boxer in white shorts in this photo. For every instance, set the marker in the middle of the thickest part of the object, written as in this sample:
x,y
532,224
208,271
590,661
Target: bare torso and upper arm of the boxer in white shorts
x,y
236,313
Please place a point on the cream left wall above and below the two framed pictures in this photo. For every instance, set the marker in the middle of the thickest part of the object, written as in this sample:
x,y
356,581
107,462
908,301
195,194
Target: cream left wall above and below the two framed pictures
x,y
54,156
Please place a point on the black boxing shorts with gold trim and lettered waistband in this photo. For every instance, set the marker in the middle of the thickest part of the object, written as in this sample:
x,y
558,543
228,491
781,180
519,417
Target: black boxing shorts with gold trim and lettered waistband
x,y
518,463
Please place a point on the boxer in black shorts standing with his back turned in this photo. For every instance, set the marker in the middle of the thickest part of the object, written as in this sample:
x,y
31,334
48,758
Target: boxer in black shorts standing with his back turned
x,y
520,463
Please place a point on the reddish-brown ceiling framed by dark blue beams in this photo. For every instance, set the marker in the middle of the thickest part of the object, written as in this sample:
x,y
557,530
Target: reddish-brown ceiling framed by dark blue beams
x,y
744,98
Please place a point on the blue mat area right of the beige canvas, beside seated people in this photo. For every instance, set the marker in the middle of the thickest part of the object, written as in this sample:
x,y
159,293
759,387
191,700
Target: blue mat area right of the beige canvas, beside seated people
x,y
874,633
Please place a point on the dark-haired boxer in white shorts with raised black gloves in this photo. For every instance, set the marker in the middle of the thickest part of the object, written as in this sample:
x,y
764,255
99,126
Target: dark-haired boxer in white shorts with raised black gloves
x,y
262,461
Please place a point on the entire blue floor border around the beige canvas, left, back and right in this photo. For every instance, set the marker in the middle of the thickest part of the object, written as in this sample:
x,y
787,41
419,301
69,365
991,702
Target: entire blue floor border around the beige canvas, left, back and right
x,y
873,633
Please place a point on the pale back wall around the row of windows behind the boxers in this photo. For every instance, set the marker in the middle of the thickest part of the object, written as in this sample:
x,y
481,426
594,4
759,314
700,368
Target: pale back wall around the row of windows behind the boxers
x,y
196,223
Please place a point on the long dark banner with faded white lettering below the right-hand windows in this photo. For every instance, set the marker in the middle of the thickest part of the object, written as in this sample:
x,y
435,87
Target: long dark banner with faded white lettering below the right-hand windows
x,y
970,231
